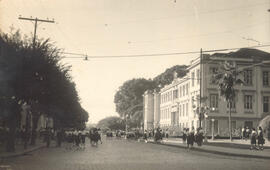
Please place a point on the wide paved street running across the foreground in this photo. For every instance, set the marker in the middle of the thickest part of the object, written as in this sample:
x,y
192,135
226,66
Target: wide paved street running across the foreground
x,y
117,154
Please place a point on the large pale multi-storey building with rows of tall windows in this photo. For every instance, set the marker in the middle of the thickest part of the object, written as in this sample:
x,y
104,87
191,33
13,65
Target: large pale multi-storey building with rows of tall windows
x,y
180,100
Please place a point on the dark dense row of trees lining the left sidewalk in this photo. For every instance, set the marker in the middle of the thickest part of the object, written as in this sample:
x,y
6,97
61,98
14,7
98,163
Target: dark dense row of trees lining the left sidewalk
x,y
36,77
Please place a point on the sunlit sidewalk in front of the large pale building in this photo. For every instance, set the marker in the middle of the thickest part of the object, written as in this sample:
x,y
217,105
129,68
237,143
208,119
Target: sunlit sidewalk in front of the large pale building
x,y
238,148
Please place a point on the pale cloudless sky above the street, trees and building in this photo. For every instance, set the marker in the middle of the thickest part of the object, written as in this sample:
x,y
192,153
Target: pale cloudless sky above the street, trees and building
x,y
131,27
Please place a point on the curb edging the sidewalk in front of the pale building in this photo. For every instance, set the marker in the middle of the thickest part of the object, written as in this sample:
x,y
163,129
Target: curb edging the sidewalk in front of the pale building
x,y
214,151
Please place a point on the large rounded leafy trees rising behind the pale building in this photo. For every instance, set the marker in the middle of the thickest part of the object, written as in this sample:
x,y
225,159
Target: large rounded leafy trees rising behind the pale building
x,y
129,97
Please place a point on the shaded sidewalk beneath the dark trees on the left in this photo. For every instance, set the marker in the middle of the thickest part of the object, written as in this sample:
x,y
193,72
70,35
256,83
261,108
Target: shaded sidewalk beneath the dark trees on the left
x,y
19,150
